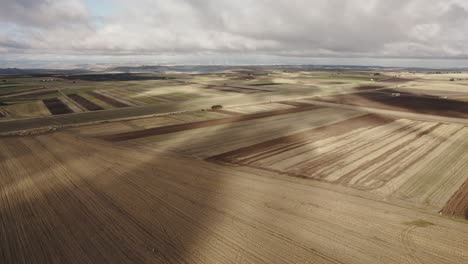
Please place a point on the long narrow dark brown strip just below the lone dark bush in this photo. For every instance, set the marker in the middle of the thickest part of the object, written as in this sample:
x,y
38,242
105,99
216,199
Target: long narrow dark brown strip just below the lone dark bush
x,y
201,124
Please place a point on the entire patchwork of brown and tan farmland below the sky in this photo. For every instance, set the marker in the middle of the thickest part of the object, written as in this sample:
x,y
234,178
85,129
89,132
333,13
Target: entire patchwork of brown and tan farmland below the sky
x,y
238,166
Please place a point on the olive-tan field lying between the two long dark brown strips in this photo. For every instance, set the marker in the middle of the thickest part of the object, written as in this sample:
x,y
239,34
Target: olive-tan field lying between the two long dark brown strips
x,y
209,141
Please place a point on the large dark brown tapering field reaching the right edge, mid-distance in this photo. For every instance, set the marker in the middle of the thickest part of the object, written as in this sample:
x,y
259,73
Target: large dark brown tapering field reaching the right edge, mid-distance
x,y
405,102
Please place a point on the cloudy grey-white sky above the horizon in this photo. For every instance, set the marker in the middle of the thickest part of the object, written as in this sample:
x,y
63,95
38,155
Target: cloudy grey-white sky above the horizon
x,y
67,32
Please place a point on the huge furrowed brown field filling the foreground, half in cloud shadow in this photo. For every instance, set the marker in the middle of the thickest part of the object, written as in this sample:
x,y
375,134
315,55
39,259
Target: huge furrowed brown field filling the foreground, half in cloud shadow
x,y
96,203
